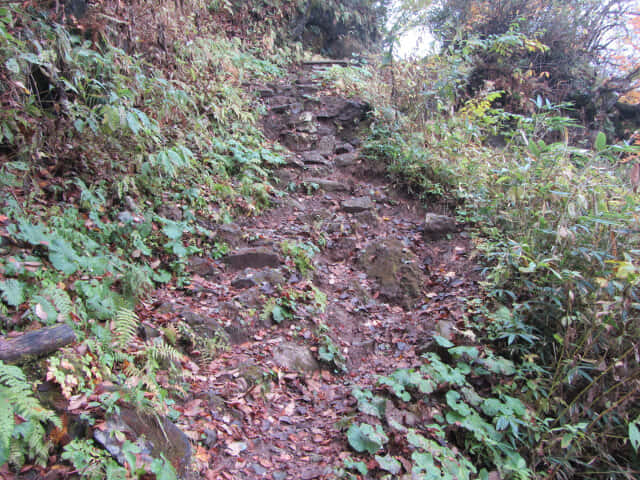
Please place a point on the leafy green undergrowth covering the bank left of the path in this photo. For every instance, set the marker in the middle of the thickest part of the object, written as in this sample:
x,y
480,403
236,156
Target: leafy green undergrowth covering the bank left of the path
x,y
114,170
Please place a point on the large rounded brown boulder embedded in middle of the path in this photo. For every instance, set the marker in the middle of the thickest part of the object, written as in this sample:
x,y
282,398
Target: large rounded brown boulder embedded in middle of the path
x,y
395,269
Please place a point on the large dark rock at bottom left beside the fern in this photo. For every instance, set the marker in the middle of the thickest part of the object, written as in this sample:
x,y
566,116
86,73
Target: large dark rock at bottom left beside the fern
x,y
155,435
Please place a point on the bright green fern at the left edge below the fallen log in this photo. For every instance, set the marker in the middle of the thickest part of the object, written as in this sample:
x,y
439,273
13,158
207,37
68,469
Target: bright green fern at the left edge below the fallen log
x,y
27,439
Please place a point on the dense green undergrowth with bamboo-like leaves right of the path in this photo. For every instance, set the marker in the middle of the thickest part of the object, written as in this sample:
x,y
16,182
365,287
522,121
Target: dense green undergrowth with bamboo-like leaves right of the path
x,y
556,222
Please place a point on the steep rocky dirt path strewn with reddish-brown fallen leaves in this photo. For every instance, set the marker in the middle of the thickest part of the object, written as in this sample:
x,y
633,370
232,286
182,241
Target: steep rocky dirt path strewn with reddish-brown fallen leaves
x,y
267,408
